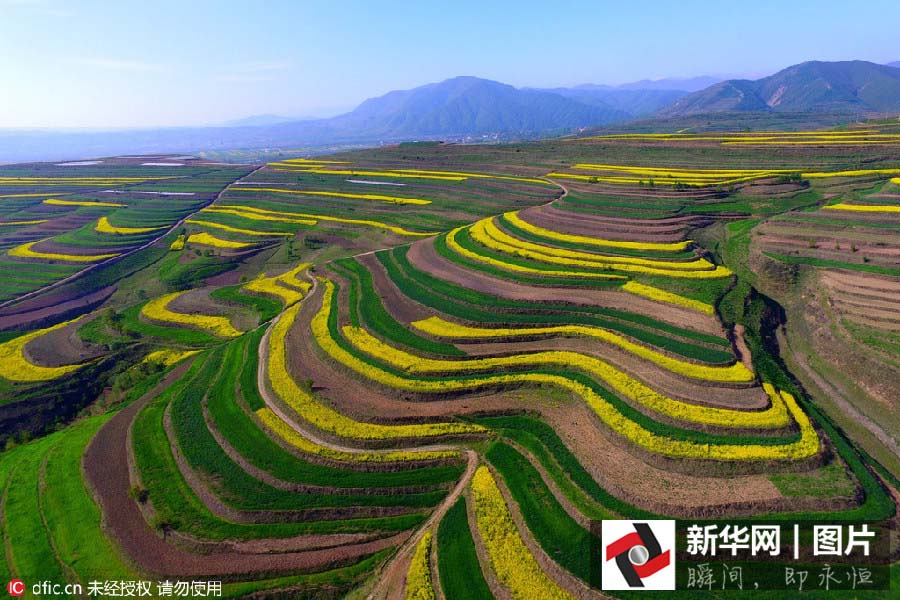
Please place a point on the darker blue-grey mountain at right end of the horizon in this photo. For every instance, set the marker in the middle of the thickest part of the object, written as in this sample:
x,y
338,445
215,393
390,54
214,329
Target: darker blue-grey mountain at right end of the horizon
x,y
822,87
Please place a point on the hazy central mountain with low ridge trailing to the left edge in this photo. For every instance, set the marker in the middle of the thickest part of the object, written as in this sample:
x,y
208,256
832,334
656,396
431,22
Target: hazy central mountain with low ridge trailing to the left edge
x,y
456,109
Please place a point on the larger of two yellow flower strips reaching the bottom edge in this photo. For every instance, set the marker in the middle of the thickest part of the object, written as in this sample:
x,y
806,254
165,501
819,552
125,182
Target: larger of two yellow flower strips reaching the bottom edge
x,y
516,568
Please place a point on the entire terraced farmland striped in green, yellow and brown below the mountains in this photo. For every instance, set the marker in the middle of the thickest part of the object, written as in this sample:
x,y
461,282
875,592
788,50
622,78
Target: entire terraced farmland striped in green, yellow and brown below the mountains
x,y
423,370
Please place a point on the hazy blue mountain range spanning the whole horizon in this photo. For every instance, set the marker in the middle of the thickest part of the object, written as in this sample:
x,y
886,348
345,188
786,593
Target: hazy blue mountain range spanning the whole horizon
x,y
474,109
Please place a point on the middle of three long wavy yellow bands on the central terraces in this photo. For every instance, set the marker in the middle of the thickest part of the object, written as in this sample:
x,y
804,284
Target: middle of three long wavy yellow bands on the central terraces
x,y
774,417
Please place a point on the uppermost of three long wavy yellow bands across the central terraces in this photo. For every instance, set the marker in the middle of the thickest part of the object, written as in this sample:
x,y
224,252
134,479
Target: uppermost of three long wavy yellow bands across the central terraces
x,y
734,373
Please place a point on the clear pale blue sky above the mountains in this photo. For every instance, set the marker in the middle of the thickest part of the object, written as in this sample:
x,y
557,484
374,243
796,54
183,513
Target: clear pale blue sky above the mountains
x,y
128,63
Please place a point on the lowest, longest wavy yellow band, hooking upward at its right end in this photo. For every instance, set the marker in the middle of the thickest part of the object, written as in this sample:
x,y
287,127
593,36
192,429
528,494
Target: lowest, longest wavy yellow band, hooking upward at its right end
x,y
805,447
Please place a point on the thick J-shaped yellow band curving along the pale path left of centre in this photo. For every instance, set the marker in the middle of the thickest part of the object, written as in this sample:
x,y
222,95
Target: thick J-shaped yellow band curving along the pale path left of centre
x,y
323,416
